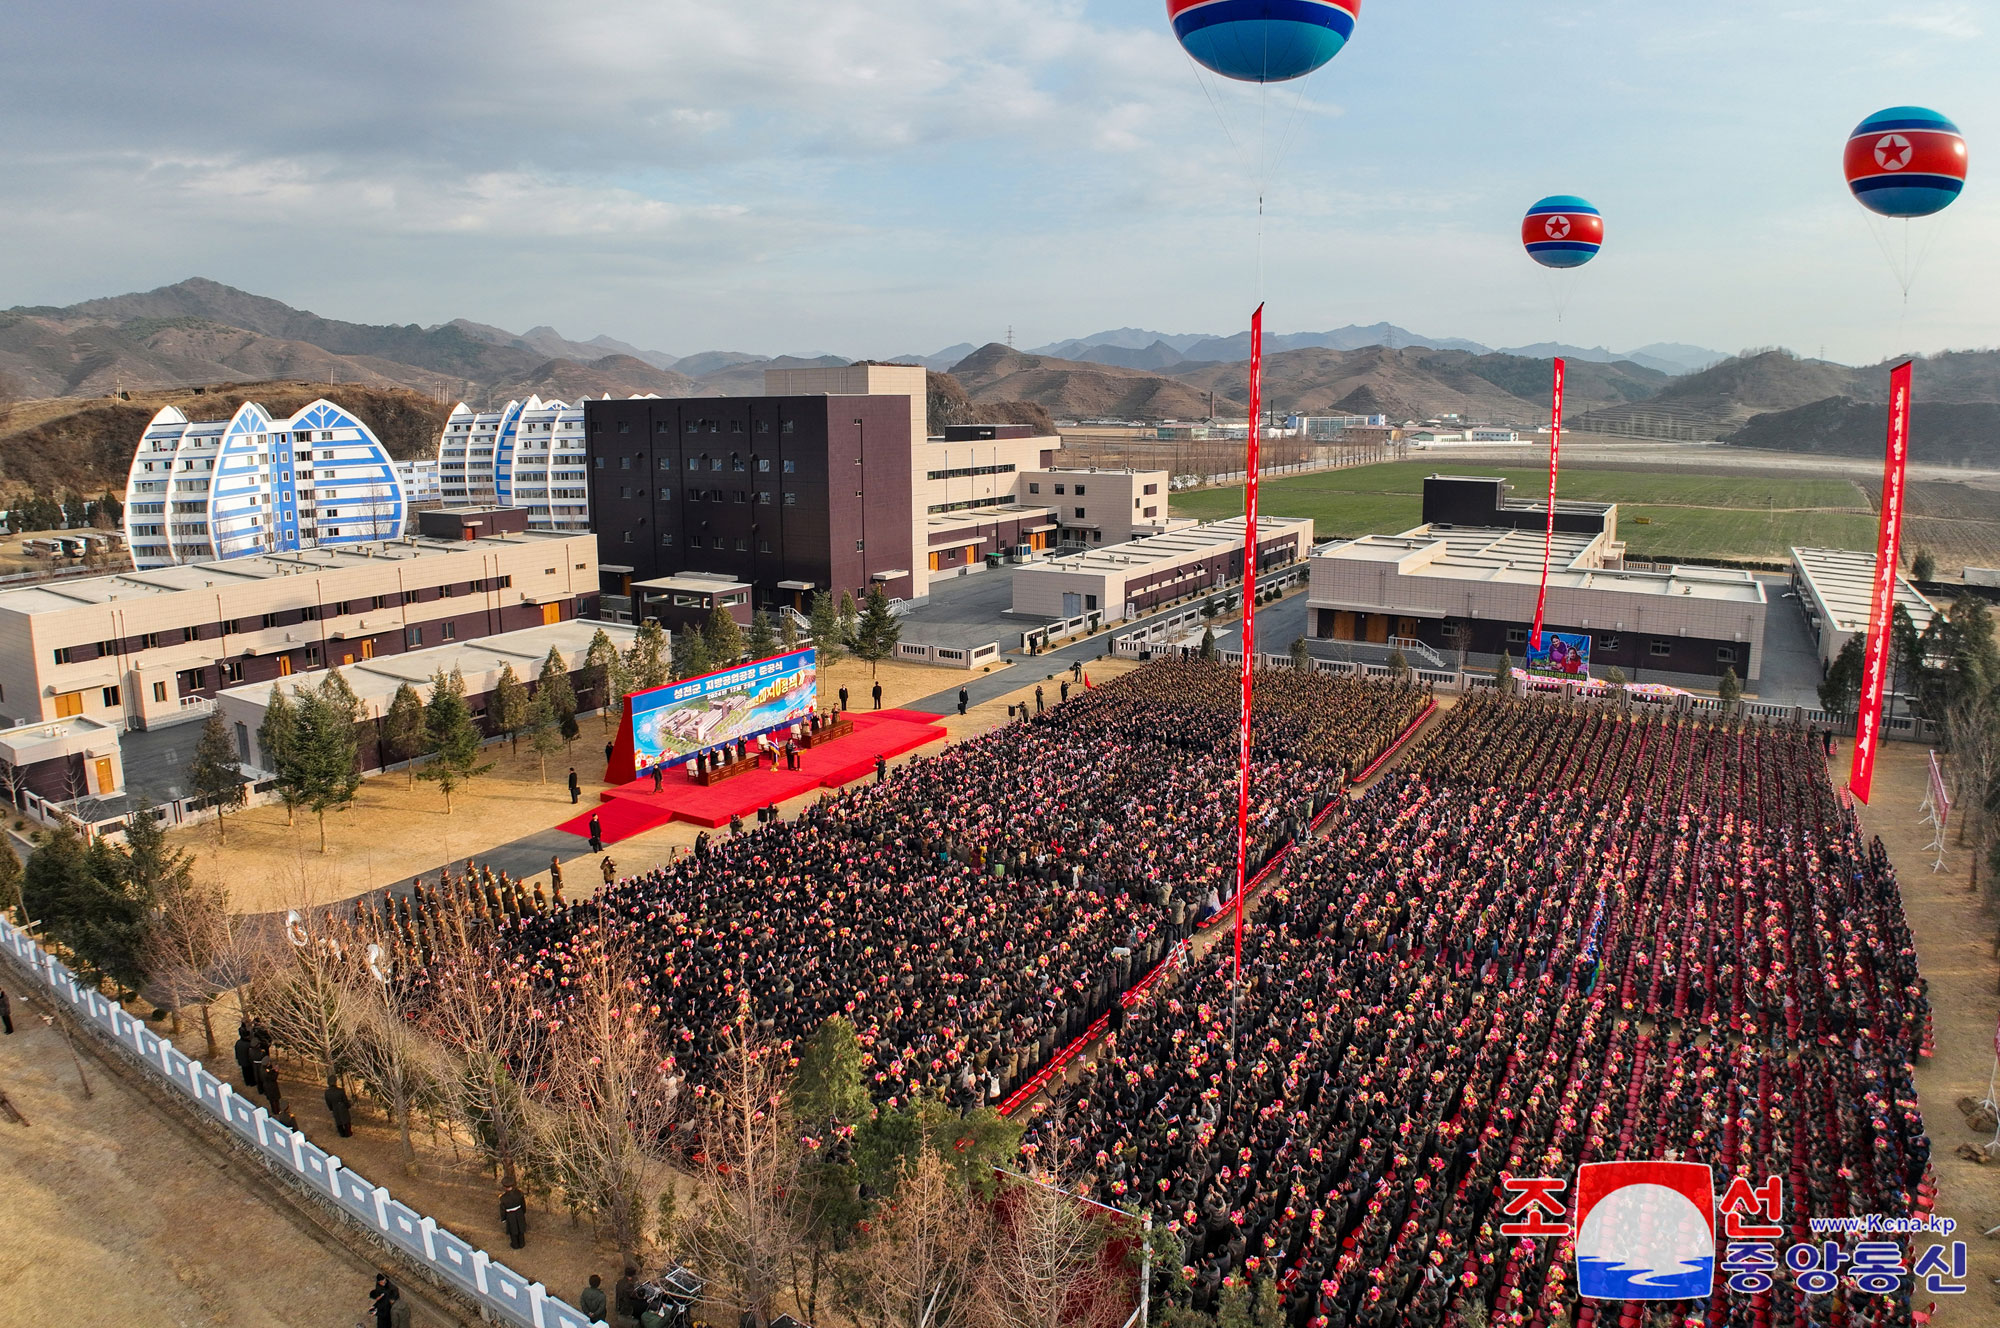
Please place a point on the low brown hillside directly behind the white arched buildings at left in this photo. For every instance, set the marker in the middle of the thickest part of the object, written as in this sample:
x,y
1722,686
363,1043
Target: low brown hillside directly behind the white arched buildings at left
x,y
87,447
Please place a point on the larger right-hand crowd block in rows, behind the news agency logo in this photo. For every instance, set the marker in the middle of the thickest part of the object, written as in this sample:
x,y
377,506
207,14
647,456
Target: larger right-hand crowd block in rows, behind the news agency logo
x,y
1553,937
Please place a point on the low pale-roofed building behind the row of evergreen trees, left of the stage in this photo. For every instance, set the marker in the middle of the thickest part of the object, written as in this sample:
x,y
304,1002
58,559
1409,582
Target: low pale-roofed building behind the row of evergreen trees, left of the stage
x,y
479,663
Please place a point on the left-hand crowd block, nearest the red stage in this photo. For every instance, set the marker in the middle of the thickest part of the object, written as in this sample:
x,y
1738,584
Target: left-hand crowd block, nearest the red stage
x,y
979,909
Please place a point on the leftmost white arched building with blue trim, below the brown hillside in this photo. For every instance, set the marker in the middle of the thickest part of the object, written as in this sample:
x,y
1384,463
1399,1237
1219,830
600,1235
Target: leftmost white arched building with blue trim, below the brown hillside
x,y
205,491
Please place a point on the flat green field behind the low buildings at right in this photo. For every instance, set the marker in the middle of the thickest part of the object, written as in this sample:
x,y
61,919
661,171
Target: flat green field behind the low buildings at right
x,y
1685,515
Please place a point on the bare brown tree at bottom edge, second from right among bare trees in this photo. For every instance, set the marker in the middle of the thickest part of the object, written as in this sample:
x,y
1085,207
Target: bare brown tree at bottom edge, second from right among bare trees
x,y
919,1263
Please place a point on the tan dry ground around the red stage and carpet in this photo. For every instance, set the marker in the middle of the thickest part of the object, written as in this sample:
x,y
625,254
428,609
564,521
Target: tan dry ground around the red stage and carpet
x,y
397,831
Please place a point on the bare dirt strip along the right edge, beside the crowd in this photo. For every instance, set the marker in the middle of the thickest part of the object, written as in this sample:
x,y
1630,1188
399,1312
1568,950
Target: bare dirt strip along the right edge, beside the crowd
x,y
1955,947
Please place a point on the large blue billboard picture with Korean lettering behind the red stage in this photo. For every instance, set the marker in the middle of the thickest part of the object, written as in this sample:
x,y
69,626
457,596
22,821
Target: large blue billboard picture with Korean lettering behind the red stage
x,y
681,719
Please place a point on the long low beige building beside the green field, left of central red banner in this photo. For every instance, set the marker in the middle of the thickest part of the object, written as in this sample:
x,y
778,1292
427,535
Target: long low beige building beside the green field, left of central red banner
x,y
1133,579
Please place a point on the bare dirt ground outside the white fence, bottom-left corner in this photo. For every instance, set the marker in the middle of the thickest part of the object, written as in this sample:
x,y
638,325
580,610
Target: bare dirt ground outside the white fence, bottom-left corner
x,y
109,1215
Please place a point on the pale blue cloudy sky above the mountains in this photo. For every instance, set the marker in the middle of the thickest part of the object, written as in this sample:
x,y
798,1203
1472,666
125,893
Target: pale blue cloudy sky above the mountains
x,y
799,177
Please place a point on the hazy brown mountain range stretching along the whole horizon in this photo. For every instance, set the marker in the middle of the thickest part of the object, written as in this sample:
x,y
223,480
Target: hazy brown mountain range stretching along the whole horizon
x,y
201,333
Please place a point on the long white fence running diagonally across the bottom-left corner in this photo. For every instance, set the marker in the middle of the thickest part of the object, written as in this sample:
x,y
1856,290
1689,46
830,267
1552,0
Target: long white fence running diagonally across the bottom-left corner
x,y
497,1289
